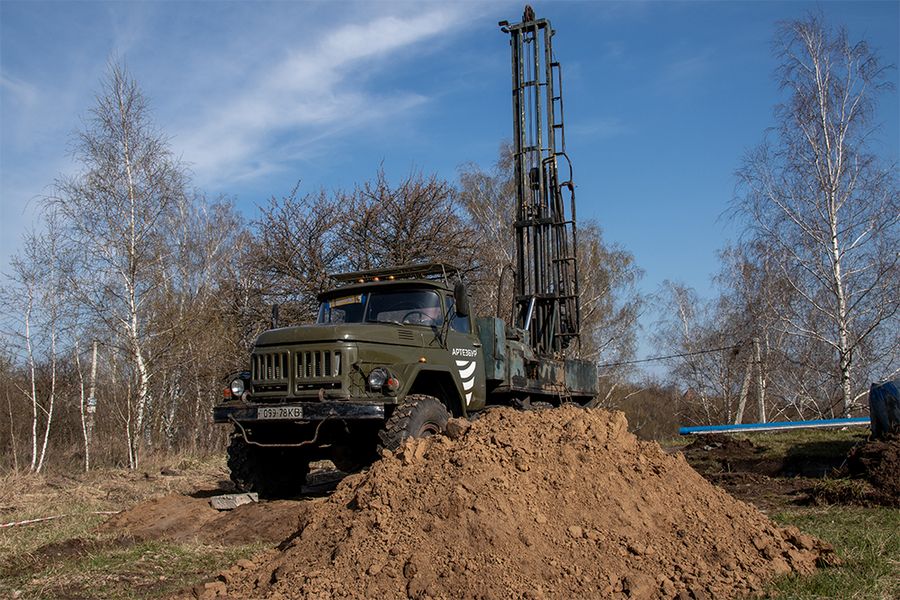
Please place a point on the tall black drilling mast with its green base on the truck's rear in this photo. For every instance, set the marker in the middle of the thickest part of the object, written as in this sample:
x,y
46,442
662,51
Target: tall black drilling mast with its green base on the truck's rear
x,y
548,311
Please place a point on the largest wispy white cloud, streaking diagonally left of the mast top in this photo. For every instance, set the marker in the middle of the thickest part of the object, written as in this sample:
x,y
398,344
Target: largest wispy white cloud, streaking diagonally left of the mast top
x,y
316,90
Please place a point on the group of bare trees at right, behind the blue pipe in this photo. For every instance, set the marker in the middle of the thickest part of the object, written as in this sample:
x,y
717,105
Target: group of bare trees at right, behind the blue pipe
x,y
809,294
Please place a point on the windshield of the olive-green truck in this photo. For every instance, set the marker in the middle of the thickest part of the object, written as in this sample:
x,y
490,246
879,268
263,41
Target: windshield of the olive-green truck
x,y
402,307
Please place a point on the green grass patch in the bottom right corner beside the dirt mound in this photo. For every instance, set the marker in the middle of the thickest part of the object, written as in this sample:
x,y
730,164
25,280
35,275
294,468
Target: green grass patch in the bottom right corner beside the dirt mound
x,y
867,541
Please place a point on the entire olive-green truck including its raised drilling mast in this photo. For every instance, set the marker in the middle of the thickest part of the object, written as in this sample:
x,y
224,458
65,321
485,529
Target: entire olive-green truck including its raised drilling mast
x,y
395,352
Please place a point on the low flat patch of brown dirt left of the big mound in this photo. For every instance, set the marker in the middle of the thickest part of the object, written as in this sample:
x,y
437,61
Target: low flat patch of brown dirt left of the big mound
x,y
183,518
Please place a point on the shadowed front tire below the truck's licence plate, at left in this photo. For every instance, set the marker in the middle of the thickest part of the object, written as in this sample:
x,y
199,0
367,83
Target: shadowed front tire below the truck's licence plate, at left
x,y
270,472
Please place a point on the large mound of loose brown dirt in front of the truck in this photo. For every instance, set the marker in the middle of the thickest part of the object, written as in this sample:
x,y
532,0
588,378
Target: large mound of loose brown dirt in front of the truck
x,y
560,503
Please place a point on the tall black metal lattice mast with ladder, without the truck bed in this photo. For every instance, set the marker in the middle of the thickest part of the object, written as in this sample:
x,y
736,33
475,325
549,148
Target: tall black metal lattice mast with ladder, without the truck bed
x,y
547,293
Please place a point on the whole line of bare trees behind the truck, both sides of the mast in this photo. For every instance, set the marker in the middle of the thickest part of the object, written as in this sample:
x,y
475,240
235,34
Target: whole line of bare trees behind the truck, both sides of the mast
x,y
137,294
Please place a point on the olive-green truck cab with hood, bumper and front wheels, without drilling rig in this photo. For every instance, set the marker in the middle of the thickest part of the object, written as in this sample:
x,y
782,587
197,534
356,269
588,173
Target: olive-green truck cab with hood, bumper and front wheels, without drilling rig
x,y
382,339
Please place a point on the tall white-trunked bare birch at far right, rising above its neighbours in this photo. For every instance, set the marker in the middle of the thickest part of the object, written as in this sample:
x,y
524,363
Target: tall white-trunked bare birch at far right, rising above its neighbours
x,y
828,208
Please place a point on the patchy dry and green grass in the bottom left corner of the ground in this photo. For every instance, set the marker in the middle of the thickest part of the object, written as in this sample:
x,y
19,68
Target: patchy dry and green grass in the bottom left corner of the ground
x,y
68,558
